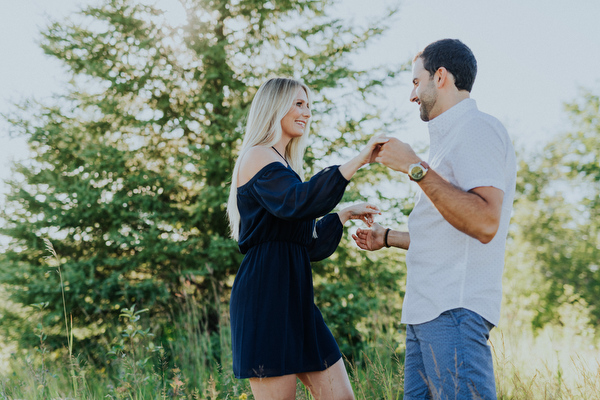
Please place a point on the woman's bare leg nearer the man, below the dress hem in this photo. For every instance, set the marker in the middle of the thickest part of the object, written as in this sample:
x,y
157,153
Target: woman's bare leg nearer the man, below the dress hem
x,y
330,384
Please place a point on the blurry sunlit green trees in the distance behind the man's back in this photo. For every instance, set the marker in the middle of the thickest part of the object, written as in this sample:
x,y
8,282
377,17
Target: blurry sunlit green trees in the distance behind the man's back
x,y
559,214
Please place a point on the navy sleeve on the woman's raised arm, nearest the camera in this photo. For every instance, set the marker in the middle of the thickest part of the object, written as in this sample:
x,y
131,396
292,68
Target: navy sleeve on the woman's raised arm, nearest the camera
x,y
281,192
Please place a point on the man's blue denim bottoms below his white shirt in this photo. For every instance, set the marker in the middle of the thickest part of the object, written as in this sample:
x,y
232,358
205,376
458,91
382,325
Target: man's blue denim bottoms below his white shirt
x,y
449,358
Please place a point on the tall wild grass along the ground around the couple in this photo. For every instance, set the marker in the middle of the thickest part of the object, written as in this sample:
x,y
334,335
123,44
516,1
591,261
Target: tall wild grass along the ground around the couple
x,y
558,362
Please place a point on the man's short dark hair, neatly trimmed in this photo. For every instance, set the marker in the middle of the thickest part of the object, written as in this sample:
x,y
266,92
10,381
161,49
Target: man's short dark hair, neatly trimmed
x,y
453,55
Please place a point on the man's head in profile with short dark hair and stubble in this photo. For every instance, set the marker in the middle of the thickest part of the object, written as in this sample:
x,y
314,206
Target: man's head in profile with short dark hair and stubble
x,y
443,75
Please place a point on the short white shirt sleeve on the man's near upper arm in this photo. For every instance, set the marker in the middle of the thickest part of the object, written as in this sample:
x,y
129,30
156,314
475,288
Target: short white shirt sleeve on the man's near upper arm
x,y
479,157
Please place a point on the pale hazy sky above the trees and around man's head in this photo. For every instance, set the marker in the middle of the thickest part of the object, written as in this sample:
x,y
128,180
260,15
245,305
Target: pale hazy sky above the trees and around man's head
x,y
533,56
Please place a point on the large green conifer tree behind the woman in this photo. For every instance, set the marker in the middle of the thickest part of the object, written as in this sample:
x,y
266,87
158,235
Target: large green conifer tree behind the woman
x,y
131,164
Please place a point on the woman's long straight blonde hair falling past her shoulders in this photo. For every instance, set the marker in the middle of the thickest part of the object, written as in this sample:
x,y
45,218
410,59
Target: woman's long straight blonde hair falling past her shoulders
x,y
271,103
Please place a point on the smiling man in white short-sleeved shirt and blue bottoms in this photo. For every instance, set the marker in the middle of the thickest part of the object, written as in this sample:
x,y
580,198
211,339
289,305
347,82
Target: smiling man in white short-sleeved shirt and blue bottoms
x,y
456,233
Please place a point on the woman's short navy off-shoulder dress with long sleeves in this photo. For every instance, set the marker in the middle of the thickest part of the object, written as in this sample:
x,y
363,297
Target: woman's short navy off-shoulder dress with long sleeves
x,y
276,328
